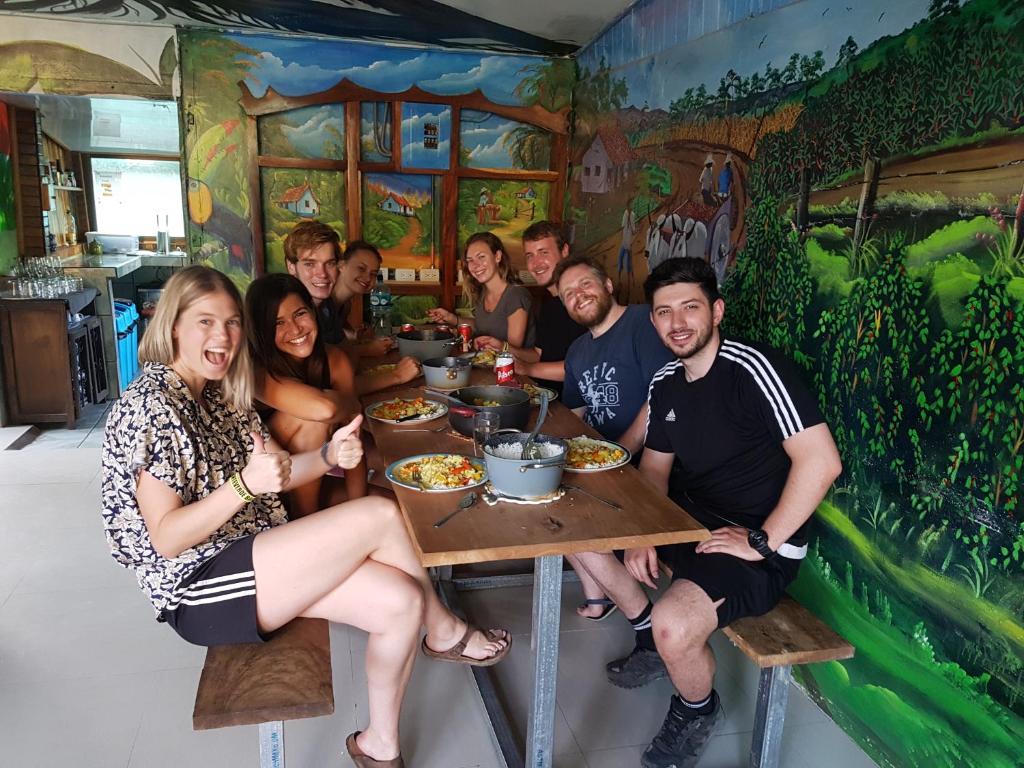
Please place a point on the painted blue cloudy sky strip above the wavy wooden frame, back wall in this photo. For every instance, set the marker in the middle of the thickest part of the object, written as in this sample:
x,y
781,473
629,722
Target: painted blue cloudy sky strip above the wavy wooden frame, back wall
x,y
295,68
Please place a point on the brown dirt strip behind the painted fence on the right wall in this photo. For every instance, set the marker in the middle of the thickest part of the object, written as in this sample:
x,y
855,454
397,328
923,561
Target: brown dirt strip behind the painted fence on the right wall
x,y
997,168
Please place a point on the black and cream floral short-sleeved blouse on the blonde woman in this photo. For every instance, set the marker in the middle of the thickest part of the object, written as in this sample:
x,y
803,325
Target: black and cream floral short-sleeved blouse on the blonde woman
x,y
157,425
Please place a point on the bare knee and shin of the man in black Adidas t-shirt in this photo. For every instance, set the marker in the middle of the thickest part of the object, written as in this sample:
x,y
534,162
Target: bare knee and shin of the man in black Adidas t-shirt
x,y
684,620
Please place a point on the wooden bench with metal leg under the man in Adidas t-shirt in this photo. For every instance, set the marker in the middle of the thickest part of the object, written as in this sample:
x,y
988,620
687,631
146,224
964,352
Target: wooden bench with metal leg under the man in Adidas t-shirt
x,y
788,635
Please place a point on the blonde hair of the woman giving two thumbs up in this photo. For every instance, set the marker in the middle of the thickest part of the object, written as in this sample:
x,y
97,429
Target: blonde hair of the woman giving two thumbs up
x,y
184,290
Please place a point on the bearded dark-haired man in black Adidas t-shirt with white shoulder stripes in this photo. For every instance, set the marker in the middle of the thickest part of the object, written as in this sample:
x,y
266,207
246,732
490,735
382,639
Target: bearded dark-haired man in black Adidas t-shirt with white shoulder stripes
x,y
755,460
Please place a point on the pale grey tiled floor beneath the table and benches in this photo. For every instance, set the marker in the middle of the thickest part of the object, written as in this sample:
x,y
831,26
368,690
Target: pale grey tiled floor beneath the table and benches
x,y
88,678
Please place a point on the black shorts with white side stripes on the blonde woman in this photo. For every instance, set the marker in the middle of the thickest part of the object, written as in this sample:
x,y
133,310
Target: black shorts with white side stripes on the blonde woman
x,y
219,607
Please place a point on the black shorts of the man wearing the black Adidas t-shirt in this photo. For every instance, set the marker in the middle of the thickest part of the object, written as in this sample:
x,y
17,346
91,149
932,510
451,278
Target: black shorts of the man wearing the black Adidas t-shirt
x,y
750,588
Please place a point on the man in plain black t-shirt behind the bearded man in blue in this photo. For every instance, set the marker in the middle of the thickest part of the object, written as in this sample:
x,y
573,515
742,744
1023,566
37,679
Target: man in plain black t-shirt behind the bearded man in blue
x,y
545,246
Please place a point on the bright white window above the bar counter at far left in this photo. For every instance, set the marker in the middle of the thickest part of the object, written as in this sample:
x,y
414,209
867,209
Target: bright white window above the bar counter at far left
x,y
131,195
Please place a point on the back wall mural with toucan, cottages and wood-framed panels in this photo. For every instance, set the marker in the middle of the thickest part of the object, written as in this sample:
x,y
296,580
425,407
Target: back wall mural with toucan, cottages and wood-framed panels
x,y
405,145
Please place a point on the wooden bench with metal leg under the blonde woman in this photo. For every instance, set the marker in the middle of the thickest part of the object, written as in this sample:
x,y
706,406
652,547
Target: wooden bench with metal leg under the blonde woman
x,y
286,678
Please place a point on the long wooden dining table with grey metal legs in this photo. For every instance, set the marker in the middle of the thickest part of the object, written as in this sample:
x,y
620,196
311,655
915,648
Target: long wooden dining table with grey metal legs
x,y
506,531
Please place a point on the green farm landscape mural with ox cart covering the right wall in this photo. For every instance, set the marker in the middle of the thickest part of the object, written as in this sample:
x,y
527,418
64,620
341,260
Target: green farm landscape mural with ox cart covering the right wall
x,y
857,176
